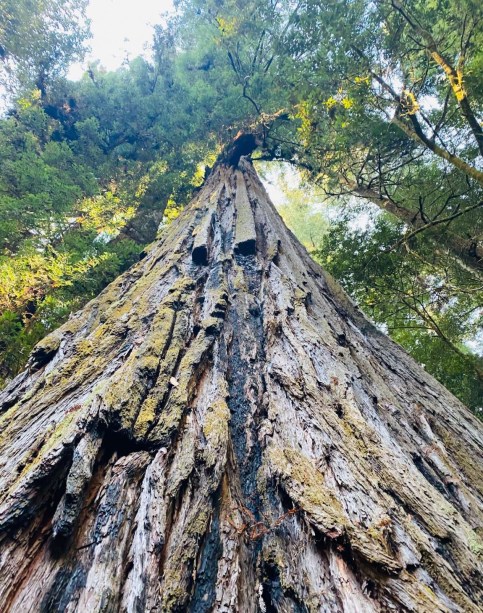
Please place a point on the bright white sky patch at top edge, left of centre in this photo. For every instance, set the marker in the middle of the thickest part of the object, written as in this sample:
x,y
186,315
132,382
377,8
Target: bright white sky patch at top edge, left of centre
x,y
120,29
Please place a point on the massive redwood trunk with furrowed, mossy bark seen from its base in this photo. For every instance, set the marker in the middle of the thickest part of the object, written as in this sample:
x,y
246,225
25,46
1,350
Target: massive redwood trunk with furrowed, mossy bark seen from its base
x,y
222,430
